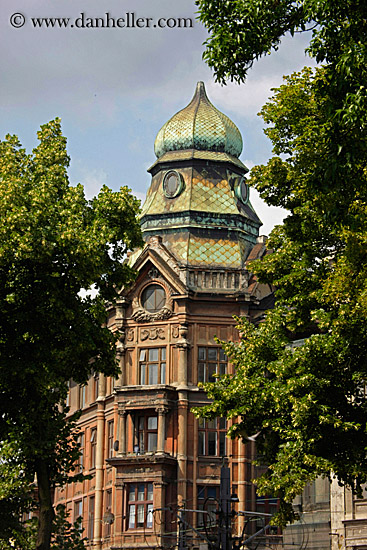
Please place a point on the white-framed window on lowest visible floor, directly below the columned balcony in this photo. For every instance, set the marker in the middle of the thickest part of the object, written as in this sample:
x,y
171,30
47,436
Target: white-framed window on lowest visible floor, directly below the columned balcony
x,y
145,504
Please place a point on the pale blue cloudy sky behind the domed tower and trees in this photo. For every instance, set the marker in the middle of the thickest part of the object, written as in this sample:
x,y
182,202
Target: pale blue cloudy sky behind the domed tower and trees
x,y
114,88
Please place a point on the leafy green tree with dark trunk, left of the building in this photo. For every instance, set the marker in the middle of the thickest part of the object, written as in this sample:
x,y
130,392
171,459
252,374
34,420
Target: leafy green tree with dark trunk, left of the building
x,y
53,244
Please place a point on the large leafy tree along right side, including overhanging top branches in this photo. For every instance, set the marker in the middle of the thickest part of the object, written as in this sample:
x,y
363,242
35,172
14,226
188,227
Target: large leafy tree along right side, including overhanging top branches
x,y
306,403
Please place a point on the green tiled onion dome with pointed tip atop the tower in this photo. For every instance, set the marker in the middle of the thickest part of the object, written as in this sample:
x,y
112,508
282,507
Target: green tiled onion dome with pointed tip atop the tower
x,y
199,126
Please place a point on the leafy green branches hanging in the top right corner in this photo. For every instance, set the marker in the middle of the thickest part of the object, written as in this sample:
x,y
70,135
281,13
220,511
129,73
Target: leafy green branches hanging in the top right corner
x,y
242,31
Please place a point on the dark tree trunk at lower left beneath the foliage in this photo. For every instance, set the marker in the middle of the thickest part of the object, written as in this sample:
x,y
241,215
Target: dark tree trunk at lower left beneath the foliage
x,y
46,512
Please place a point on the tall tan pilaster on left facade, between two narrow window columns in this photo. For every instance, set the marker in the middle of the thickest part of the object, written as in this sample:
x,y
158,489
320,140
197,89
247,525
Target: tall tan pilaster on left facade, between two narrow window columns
x,y
99,463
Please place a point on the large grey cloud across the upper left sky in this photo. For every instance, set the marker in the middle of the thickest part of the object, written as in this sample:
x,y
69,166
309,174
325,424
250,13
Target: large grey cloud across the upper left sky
x,y
92,73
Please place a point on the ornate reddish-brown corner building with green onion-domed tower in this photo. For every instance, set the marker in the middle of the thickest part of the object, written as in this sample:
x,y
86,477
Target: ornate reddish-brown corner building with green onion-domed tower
x,y
148,456
